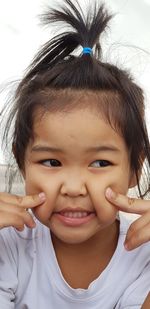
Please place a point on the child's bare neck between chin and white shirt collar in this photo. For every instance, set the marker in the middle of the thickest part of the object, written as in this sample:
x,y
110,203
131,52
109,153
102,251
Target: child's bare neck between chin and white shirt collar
x,y
80,264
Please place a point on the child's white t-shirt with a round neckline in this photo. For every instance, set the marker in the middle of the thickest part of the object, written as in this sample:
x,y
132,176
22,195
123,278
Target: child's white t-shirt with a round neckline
x,y
30,277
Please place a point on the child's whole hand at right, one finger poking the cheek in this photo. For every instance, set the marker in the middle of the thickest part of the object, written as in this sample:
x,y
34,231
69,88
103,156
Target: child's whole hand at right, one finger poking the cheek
x,y
139,231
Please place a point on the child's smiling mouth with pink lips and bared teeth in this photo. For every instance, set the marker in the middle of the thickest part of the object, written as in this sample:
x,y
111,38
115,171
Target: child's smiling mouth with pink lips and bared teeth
x,y
74,217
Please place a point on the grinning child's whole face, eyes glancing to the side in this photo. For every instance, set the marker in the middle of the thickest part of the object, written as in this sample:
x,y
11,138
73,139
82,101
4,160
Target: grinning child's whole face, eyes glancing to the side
x,y
74,157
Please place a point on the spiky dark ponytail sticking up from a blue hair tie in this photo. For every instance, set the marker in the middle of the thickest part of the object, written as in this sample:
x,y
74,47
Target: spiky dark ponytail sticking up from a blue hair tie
x,y
84,32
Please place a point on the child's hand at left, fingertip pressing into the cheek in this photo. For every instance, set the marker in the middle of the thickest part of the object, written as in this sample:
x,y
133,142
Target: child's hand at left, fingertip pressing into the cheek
x,y
14,210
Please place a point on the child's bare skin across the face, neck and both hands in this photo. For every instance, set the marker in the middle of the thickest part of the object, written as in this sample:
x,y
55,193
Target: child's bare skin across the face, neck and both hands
x,y
79,181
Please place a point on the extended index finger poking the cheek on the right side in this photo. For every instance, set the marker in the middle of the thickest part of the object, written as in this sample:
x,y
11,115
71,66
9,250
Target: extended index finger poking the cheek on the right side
x,y
127,204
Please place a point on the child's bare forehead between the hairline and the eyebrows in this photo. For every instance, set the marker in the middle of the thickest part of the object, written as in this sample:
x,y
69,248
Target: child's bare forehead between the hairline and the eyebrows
x,y
82,127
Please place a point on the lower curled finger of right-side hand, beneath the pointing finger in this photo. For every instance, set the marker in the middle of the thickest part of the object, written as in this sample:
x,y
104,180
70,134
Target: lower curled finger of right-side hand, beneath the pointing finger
x,y
137,238
